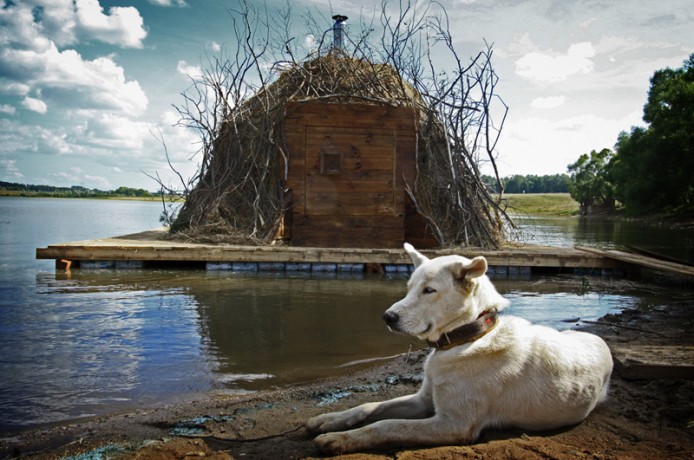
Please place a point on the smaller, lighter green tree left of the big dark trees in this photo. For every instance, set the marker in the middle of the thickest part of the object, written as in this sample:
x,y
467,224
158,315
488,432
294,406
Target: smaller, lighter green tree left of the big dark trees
x,y
589,181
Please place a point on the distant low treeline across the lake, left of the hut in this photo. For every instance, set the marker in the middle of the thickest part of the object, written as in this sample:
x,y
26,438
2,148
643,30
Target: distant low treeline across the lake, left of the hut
x,y
76,191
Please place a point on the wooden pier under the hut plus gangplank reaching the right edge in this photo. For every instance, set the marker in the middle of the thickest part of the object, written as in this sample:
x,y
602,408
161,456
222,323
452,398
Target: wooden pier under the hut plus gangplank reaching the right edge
x,y
155,248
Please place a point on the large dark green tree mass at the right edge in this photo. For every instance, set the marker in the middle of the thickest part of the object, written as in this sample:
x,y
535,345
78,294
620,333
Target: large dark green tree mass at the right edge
x,y
652,169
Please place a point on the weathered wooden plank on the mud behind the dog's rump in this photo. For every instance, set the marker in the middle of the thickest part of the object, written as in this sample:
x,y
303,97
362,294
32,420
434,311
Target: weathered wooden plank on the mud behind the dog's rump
x,y
654,361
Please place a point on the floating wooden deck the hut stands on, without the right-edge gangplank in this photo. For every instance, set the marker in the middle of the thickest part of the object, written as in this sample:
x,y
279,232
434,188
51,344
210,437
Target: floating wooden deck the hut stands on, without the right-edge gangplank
x,y
153,246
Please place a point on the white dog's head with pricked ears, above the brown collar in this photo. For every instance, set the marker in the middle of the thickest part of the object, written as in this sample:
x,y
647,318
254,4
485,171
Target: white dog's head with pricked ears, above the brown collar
x,y
442,294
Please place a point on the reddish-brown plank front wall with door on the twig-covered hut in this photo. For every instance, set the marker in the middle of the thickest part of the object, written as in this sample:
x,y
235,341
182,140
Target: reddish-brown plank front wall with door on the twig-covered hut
x,y
347,169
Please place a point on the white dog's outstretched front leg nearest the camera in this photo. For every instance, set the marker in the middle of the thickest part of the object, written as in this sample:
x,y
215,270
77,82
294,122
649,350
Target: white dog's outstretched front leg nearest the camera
x,y
435,430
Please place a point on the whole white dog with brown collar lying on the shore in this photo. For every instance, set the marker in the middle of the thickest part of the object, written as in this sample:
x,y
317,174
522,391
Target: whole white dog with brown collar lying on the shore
x,y
485,371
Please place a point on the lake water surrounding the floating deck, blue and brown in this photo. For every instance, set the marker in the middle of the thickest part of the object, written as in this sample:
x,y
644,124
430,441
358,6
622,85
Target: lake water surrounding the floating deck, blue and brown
x,y
101,341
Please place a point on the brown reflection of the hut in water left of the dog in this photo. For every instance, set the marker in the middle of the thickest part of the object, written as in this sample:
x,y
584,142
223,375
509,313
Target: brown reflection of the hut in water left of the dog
x,y
295,329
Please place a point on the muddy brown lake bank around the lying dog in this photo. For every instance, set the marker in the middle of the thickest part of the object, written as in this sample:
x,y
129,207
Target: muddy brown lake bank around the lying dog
x,y
641,419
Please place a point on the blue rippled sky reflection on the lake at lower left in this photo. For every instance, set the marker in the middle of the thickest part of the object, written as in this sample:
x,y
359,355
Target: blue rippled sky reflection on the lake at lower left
x,y
83,348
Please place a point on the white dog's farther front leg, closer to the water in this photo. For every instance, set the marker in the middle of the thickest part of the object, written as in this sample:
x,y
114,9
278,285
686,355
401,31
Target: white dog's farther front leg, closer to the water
x,y
418,405
